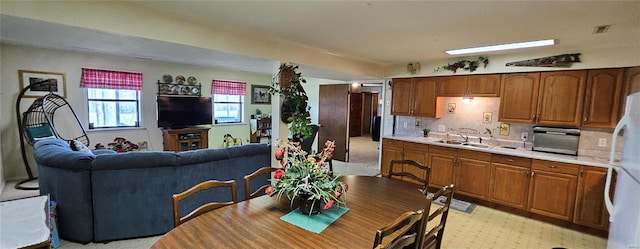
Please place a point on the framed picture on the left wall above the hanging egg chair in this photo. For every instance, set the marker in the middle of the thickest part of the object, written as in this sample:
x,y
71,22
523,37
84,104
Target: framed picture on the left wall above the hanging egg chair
x,y
42,83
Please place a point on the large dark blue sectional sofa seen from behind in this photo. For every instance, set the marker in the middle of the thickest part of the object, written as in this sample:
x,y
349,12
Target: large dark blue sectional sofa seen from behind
x,y
110,196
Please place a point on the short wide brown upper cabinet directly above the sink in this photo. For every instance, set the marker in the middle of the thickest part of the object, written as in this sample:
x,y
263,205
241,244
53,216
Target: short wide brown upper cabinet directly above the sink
x,y
469,85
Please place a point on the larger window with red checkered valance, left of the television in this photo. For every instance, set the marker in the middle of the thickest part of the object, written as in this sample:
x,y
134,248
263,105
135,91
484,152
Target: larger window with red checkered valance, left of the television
x,y
113,98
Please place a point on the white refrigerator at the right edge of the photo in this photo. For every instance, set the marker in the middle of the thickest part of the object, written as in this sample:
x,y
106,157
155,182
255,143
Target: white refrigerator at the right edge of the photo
x,y
624,210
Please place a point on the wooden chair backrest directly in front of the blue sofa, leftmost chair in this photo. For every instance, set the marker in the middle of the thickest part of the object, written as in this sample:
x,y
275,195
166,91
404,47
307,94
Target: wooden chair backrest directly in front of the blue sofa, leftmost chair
x,y
177,220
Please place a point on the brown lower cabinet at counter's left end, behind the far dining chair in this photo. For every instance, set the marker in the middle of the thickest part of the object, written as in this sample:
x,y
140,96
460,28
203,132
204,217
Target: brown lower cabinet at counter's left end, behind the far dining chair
x,y
401,150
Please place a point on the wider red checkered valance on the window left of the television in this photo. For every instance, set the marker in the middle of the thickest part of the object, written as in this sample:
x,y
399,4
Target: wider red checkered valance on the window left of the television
x,y
109,79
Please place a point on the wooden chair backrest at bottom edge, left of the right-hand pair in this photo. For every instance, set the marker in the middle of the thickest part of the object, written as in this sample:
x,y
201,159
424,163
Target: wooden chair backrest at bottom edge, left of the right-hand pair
x,y
407,227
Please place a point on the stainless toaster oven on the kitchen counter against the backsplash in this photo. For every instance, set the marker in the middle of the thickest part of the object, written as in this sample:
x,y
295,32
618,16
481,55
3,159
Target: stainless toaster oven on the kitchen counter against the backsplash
x,y
556,140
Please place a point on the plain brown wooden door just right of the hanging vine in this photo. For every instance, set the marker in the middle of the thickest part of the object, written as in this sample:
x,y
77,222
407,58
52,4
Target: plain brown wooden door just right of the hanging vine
x,y
333,118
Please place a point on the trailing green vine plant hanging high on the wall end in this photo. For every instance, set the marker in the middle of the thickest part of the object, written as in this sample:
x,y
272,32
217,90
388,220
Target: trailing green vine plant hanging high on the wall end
x,y
294,109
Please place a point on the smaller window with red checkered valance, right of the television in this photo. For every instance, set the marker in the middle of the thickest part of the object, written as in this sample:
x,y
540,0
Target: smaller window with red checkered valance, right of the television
x,y
228,101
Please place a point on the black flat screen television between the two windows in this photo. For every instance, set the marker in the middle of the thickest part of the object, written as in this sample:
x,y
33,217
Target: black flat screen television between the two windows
x,y
181,112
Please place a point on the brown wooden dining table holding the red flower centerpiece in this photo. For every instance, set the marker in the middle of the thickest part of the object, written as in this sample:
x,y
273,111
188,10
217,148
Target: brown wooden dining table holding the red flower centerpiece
x,y
373,202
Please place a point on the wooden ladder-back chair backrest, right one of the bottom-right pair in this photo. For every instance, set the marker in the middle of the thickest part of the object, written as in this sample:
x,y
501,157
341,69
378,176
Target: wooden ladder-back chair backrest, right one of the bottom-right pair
x,y
433,236
